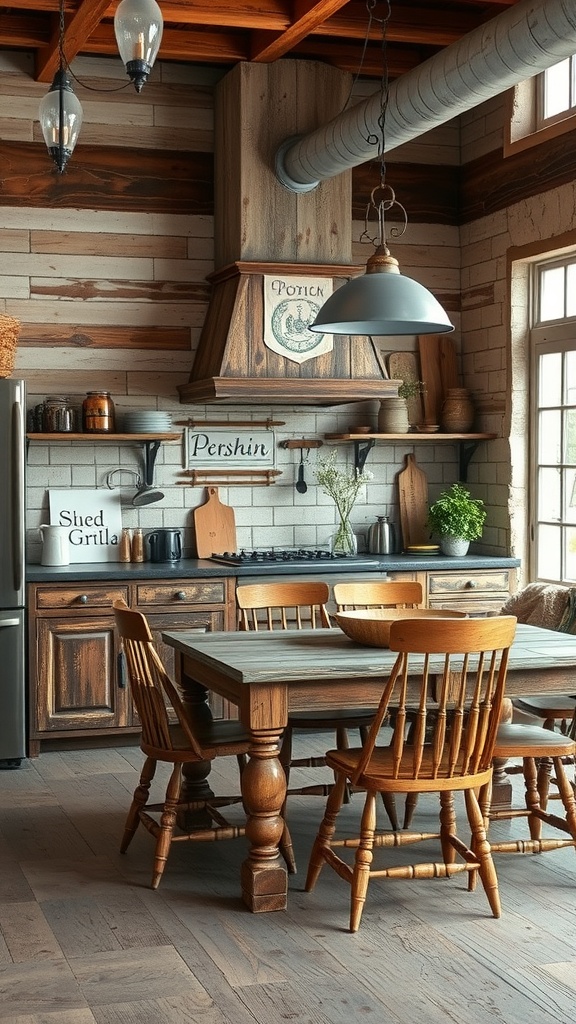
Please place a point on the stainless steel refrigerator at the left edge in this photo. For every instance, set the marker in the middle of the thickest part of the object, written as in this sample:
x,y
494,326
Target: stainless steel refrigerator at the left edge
x,y
13,496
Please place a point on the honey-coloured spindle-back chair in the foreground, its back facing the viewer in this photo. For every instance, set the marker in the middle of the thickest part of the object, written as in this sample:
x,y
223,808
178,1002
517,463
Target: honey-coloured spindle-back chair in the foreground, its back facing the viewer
x,y
465,688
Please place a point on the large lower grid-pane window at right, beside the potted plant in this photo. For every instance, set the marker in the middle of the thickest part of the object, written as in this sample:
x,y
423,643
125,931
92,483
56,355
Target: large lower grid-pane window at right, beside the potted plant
x,y
554,406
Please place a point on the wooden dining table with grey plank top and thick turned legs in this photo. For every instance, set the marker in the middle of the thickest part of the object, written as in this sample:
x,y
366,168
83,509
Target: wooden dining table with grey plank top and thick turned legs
x,y
269,675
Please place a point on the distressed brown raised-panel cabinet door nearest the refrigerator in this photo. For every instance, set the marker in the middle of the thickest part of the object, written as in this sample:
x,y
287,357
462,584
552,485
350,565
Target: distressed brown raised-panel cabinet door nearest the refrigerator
x,y
77,679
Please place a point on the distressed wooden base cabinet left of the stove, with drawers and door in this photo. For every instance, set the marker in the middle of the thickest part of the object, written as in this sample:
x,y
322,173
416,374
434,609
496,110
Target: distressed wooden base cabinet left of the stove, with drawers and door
x,y
76,691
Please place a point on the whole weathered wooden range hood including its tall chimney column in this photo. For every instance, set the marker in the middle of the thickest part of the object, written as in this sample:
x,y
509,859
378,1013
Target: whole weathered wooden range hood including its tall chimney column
x,y
261,229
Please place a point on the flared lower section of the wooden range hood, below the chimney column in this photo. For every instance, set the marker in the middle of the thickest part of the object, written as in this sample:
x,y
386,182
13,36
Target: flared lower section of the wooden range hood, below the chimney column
x,y
234,366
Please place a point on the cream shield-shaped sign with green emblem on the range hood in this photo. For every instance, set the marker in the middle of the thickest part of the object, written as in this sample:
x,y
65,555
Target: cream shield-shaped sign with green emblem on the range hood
x,y
292,305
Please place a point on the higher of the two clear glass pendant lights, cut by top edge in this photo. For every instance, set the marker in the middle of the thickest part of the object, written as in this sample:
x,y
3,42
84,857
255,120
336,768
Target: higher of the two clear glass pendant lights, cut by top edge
x,y
138,27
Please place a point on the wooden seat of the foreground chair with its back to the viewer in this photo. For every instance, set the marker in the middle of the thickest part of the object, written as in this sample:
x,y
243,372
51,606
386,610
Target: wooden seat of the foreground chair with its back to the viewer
x,y
384,774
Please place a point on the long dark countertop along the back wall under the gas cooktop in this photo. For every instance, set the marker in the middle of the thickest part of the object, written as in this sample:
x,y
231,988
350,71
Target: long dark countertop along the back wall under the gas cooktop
x,y
202,569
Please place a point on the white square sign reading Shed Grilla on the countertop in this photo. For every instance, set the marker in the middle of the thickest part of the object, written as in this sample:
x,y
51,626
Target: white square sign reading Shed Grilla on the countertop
x,y
94,520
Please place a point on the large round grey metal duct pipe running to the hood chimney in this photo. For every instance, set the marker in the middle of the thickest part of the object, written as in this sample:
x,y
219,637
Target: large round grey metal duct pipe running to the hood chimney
x,y
525,40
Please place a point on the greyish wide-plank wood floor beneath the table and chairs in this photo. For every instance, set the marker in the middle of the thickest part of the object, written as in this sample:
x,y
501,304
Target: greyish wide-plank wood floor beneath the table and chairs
x,y
84,938
